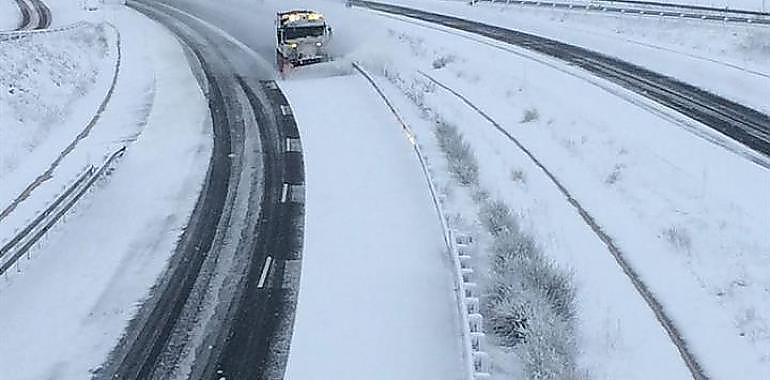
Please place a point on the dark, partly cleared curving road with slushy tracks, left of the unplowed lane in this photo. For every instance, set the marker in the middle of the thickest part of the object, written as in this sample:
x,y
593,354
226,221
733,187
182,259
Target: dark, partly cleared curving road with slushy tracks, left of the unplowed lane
x,y
225,306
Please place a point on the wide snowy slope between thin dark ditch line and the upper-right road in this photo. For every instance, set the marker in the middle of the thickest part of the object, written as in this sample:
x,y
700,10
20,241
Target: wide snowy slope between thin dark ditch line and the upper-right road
x,y
623,200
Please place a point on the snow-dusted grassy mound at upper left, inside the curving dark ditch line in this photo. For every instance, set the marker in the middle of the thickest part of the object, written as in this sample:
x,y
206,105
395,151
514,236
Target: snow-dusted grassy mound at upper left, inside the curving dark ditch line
x,y
42,77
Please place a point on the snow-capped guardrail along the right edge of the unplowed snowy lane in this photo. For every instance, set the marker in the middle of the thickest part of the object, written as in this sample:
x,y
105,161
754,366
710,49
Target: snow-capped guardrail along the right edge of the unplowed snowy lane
x,y
476,358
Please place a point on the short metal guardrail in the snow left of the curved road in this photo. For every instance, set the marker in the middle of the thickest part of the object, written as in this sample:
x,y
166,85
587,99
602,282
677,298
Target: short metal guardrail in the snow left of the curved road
x,y
24,240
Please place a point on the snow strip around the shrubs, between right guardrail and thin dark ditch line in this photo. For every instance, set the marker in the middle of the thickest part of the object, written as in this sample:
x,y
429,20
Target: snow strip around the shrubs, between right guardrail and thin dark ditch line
x,y
618,338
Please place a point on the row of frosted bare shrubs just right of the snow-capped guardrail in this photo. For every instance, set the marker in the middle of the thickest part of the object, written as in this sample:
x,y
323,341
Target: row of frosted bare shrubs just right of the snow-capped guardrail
x,y
528,302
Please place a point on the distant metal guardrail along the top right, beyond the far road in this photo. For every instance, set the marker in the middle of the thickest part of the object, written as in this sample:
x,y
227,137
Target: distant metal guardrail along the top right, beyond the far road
x,y
648,8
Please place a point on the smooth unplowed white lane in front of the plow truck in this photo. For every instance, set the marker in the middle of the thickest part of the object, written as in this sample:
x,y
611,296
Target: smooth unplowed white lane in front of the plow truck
x,y
376,298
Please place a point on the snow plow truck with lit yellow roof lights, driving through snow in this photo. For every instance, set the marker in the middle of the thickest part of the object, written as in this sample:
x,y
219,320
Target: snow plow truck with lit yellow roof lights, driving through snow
x,y
302,37
